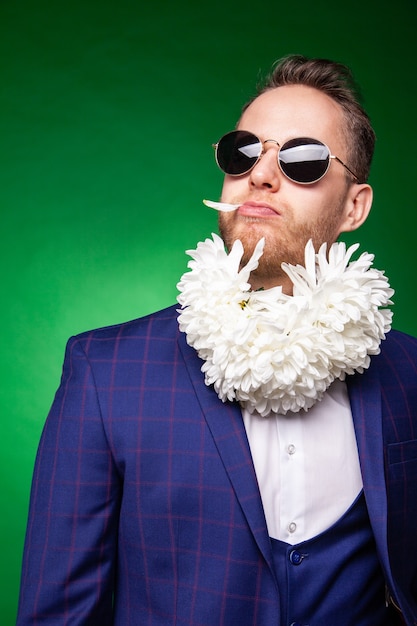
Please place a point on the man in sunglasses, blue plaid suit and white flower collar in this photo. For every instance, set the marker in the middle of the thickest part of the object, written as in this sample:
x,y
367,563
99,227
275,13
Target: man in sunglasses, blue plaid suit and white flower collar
x,y
161,496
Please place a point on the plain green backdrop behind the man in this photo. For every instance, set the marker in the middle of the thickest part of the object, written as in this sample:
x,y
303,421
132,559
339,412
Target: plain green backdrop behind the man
x,y
108,111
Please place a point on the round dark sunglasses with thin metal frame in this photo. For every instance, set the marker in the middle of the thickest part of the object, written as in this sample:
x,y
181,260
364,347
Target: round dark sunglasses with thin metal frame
x,y
302,160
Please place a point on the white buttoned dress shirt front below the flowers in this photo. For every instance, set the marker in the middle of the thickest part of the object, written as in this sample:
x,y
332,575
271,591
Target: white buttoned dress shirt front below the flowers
x,y
307,465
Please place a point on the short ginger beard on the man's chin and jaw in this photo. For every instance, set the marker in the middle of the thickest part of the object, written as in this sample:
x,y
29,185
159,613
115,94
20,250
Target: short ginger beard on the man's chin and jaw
x,y
285,241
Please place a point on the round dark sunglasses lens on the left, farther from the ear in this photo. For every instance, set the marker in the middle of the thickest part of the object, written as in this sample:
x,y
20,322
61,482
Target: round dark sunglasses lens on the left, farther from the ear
x,y
237,152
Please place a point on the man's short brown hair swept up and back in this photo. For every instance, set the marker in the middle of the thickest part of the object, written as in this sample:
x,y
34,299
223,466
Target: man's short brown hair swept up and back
x,y
335,80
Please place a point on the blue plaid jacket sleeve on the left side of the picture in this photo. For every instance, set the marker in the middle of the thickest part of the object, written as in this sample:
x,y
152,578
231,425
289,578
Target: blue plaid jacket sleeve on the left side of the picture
x,y
71,539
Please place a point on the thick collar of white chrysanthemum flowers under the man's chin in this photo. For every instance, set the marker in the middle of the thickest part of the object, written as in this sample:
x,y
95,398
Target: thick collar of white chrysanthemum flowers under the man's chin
x,y
279,353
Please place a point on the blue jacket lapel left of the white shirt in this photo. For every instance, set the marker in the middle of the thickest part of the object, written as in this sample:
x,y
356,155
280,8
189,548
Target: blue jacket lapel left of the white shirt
x,y
226,426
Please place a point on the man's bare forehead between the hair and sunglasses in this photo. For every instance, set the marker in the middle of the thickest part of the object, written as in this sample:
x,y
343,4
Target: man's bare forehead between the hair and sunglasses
x,y
294,110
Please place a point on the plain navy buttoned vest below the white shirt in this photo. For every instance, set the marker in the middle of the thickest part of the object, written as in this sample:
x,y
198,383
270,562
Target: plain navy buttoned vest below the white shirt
x,y
333,579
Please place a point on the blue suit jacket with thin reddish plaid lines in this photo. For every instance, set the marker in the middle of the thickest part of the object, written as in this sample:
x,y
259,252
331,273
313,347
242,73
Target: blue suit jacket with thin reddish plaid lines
x,y
145,507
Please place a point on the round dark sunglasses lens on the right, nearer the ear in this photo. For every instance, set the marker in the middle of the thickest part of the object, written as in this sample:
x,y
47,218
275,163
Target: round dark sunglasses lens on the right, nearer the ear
x,y
304,160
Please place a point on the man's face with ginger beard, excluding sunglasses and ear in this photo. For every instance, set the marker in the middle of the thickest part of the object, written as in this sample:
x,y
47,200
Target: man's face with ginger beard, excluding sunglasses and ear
x,y
286,213
